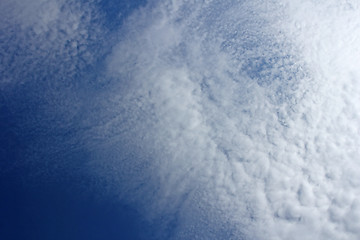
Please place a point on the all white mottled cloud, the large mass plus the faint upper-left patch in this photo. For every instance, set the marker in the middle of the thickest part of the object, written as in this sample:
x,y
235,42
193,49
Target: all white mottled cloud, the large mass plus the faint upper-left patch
x,y
229,119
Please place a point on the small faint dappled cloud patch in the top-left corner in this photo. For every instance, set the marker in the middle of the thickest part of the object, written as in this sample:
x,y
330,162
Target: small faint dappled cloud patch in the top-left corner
x,y
49,38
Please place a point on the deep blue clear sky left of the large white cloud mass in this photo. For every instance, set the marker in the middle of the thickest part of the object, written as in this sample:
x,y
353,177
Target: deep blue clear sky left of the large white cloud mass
x,y
58,201
